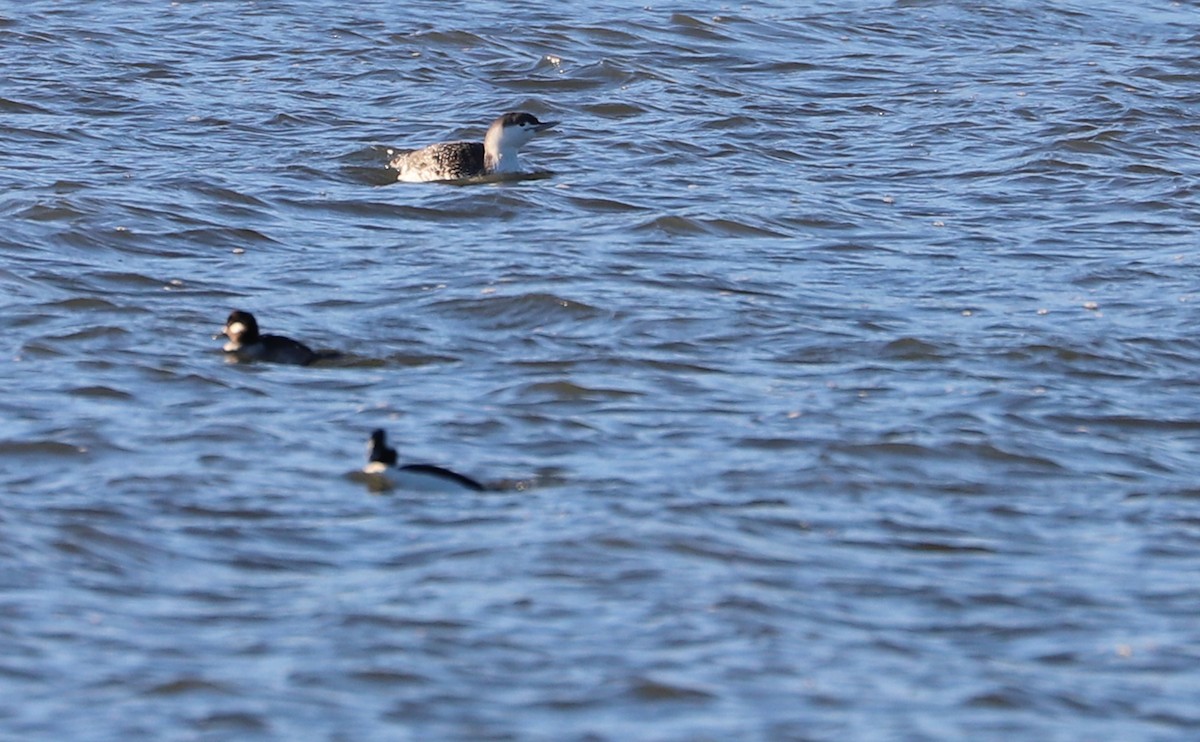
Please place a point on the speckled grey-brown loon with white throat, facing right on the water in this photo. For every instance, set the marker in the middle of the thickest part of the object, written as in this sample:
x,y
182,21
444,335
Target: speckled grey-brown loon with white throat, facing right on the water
x,y
458,160
